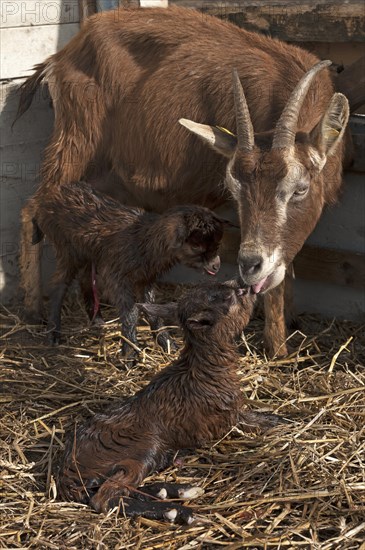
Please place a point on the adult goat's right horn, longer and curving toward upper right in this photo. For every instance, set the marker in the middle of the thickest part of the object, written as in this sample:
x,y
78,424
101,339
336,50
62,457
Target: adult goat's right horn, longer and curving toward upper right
x,y
286,127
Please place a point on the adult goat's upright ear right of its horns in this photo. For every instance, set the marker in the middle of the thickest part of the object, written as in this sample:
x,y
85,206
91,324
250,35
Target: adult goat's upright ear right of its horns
x,y
329,132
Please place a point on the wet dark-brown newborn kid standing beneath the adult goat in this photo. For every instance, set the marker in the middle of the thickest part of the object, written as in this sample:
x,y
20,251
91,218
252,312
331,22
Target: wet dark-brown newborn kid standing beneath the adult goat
x,y
127,246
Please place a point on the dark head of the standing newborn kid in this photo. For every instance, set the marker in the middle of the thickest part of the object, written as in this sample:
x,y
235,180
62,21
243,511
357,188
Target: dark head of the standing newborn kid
x,y
198,233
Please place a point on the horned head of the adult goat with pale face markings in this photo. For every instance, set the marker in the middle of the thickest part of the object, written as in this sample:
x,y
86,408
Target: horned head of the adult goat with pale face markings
x,y
276,178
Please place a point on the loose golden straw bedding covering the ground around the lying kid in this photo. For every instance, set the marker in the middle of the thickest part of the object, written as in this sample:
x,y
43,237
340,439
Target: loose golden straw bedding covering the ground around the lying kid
x,y
301,485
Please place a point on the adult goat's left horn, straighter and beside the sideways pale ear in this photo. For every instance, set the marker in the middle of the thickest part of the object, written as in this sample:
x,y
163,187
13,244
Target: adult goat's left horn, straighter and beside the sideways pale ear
x,y
245,133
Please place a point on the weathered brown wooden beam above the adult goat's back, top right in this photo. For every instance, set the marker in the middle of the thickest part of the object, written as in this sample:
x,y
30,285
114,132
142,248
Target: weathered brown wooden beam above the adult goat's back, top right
x,y
291,20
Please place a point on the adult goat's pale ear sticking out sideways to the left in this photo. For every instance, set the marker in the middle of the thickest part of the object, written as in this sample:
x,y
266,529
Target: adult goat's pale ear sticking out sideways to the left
x,y
220,140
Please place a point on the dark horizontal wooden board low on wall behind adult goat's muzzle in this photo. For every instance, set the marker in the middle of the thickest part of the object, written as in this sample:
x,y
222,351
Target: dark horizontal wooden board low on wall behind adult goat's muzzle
x,y
338,267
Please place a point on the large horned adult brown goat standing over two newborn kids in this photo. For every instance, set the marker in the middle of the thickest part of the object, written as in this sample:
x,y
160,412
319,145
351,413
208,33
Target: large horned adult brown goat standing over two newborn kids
x,y
121,85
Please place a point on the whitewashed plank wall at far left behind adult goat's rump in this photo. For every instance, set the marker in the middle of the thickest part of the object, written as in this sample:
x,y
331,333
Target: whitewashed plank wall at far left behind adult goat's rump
x,y
30,31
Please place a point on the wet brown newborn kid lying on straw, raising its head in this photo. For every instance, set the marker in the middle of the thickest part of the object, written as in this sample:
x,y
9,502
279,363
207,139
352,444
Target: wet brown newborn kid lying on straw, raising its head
x,y
192,401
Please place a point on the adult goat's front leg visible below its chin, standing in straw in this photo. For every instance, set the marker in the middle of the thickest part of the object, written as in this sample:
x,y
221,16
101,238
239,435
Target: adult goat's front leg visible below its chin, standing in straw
x,y
275,329
